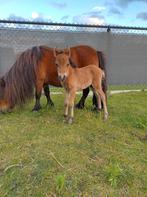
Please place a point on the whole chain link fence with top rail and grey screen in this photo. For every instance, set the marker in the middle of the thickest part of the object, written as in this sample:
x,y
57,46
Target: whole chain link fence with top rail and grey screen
x,y
125,48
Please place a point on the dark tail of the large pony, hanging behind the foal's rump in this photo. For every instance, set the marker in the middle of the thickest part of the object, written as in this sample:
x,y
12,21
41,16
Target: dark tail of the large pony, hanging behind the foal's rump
x,y
101,60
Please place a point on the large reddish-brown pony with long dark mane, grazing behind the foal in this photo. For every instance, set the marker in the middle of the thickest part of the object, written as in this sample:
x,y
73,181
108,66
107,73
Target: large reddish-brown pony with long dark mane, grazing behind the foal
x,y
35,67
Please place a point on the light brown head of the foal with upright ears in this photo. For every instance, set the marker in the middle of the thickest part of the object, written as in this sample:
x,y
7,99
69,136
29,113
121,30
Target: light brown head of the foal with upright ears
x,y
62,61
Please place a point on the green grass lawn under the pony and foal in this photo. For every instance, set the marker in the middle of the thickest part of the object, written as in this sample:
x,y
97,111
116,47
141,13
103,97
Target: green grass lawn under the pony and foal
x,y
41,156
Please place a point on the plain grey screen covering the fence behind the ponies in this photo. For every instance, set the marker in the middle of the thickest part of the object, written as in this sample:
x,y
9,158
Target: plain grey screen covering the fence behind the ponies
x,y
126,54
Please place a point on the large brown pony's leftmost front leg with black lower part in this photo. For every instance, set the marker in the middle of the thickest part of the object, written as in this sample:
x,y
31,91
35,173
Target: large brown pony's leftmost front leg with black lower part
x,y
38,92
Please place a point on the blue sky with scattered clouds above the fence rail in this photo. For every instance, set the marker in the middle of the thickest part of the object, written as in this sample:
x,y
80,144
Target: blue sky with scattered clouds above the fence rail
x,y
112,12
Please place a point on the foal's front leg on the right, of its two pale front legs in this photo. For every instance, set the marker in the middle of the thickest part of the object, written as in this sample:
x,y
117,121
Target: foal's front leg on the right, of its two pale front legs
x,y
72,95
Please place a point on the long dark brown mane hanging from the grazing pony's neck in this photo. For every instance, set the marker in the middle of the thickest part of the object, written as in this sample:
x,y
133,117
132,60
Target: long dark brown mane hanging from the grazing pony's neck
x,y
20,79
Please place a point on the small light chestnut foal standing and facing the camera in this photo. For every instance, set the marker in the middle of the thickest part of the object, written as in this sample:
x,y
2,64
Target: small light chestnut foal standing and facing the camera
x,y
74,79
